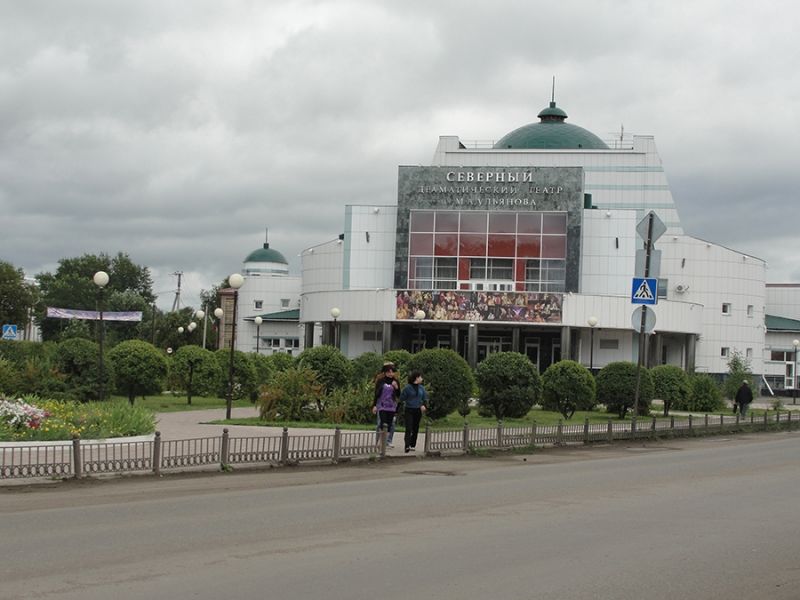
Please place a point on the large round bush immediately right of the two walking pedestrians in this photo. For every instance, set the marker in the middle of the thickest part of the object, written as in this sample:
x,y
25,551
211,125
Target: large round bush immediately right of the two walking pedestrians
x,y
448,378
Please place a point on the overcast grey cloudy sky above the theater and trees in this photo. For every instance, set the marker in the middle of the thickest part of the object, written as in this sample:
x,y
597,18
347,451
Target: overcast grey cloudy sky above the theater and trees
x,y
177,131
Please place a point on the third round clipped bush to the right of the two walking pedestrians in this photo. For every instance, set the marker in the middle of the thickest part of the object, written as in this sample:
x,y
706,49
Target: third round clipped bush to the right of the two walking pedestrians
x,y
568,386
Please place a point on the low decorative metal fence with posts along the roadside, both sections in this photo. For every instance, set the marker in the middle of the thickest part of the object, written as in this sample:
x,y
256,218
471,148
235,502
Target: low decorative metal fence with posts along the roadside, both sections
x,y
78,458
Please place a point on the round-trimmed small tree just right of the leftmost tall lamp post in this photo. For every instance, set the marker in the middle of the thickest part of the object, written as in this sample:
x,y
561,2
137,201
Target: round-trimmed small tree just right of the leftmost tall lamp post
x,y
139,368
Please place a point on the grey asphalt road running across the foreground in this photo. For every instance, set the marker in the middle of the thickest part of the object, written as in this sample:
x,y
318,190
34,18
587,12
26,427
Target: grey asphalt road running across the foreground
x,y
711,518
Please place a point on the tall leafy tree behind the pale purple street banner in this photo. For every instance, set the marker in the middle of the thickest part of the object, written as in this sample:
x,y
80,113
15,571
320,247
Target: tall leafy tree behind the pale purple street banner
x,y
71,286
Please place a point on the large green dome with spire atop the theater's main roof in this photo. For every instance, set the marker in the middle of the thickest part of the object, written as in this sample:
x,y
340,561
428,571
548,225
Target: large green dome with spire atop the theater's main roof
x,y
551,133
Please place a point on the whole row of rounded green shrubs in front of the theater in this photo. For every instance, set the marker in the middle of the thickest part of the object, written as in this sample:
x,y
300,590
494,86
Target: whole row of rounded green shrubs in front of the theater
x,y
321,383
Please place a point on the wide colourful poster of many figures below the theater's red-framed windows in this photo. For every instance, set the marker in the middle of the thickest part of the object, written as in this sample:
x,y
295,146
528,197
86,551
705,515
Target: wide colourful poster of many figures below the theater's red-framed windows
x,y
453,305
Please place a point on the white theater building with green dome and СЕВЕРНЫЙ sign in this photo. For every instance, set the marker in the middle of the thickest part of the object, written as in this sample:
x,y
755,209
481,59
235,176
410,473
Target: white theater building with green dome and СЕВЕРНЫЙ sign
x,y
530,245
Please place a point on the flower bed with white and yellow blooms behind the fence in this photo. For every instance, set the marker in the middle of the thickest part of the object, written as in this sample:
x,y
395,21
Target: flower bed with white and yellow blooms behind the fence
x,y
33,419
